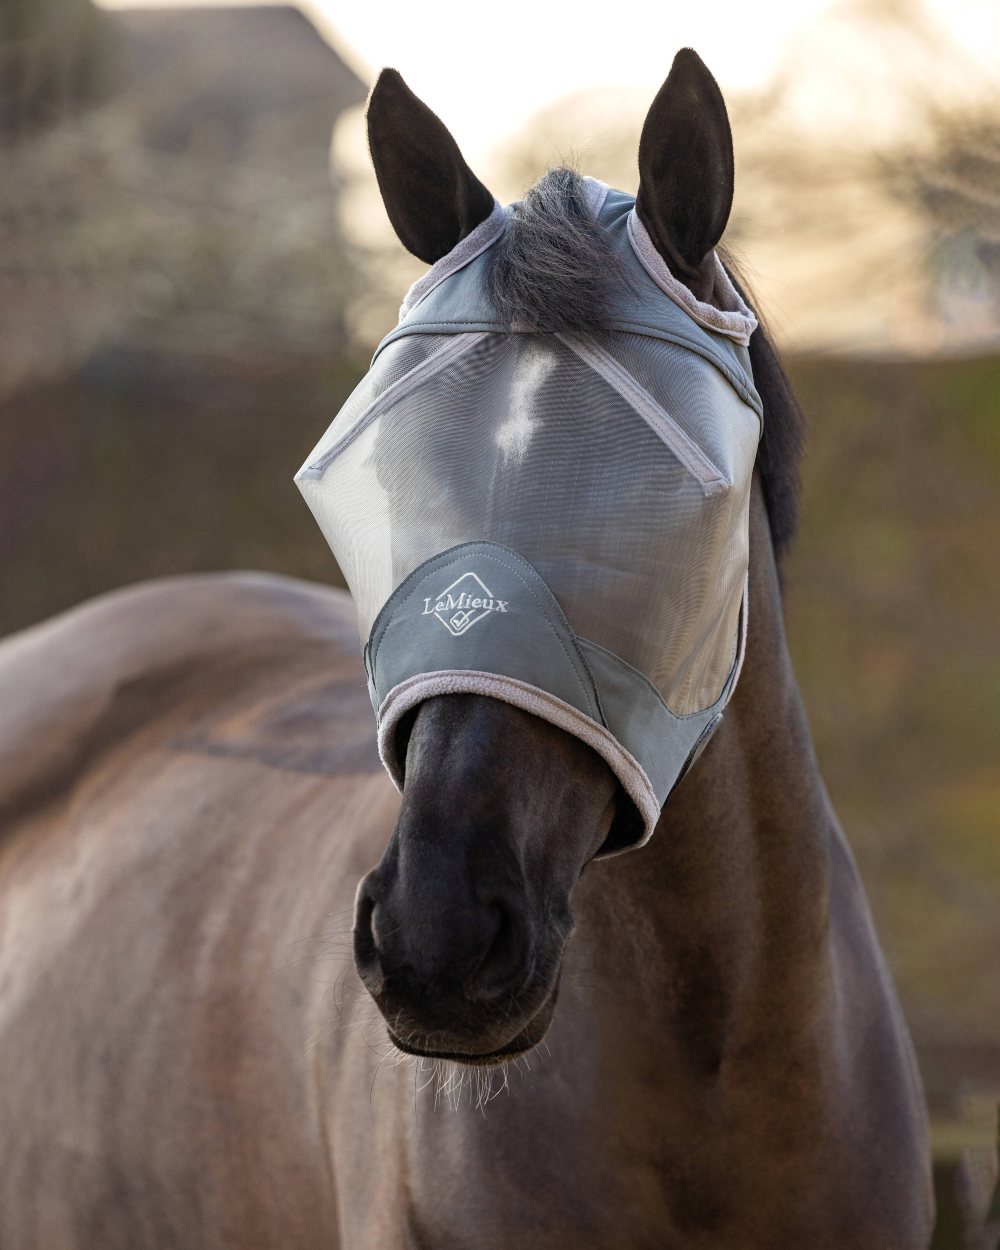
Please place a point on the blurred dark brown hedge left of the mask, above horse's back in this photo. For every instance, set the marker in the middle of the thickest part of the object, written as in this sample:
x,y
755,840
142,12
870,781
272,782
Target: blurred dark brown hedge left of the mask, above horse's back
x,y
157,462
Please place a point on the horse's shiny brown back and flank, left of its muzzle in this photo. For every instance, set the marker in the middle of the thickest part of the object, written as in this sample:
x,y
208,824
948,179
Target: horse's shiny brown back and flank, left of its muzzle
x,y
189,792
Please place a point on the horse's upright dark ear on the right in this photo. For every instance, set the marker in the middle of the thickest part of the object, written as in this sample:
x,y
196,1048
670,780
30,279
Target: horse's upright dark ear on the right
x,y
686,168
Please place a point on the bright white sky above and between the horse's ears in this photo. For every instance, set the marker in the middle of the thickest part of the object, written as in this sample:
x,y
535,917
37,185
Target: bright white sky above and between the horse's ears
x,y
487,69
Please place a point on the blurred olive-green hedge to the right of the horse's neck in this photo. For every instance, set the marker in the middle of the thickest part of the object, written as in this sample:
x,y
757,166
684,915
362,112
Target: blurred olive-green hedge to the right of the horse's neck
x,y
893,608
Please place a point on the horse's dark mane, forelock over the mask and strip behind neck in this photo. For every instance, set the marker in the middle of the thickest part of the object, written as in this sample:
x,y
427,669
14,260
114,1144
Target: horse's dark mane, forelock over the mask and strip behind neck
x,y
554,269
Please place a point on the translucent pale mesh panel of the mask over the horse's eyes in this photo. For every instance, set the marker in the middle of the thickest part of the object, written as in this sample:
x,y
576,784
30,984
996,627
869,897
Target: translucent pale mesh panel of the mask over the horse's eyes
x,y
514,439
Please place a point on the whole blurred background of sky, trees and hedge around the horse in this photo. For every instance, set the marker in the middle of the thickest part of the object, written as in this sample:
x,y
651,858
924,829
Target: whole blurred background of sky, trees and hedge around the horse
x,y
196,266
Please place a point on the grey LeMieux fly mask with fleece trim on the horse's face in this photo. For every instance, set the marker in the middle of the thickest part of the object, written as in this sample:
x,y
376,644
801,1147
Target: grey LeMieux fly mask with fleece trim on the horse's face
x,y
554,521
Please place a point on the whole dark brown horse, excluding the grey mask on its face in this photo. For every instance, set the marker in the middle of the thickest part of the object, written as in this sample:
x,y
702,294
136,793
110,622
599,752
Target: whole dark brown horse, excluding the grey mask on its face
x,y
707,1052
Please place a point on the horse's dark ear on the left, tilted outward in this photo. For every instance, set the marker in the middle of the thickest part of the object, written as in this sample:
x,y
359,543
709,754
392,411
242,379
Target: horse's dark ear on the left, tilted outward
x,y
432,197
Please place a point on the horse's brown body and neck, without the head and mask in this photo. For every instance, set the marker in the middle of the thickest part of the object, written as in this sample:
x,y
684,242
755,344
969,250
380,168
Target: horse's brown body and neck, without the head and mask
x,y
191,799
